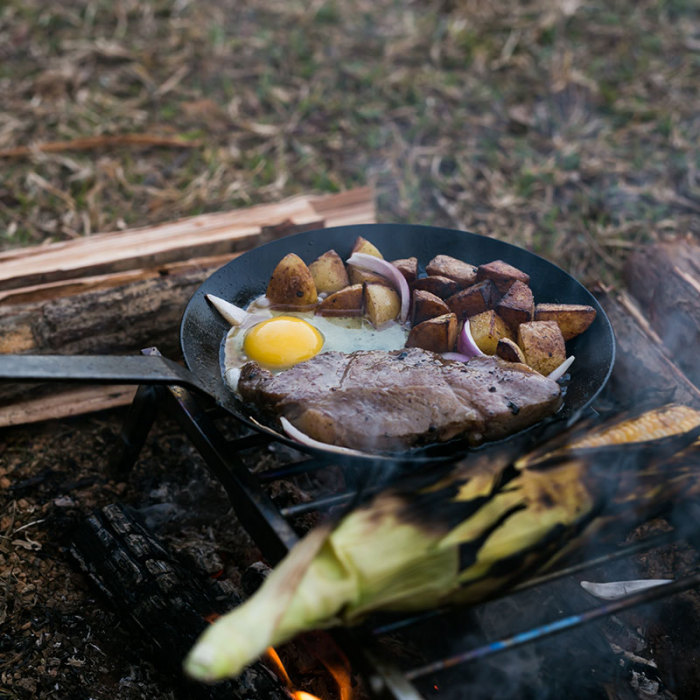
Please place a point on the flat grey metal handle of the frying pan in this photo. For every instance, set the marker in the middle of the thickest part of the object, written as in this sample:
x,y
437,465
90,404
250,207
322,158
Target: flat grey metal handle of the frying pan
x,y
98,369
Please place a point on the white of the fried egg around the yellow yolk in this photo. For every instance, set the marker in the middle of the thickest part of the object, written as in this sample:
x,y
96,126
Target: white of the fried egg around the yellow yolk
x,y
342,334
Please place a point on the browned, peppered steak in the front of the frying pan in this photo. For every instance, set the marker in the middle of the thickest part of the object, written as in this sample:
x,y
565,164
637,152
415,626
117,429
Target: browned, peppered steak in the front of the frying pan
x,y
376,400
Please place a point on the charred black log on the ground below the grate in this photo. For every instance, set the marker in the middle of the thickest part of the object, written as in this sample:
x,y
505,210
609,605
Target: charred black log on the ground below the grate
x,y
164,602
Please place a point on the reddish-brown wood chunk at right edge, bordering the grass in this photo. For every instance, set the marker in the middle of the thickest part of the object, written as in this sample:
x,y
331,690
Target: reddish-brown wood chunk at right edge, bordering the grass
x,y
665,279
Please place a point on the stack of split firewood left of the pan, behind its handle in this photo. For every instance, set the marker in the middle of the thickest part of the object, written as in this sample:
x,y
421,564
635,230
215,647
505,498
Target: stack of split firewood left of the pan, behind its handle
x,y
52,300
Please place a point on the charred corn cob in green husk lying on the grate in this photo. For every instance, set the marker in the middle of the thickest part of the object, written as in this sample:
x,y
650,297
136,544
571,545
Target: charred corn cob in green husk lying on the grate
x,y
462,536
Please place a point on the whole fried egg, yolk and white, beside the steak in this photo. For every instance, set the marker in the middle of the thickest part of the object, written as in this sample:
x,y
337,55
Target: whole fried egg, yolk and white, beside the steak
x,y
278,340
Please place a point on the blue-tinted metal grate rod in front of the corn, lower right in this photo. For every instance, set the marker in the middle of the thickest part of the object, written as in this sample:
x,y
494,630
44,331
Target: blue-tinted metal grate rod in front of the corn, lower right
x,y
561,625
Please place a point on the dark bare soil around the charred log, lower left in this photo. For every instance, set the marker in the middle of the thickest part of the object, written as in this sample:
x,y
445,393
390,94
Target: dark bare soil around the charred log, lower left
x,y
58,639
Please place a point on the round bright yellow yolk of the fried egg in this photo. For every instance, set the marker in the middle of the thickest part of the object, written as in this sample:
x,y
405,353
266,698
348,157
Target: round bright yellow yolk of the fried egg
x,y
281,342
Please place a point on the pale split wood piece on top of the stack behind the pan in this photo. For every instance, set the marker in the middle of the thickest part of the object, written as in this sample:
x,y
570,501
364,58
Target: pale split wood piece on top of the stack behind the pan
x,y
205,235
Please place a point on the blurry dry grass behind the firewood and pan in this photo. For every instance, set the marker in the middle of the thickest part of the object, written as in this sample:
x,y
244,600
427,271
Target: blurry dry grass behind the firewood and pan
x,y
570,127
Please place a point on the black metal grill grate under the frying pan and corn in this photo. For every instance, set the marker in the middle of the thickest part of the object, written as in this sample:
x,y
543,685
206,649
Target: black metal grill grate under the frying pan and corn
x,y
269,526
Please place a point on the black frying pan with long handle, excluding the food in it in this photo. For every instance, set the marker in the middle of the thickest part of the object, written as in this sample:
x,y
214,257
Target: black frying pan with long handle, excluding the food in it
x,y
202,330
